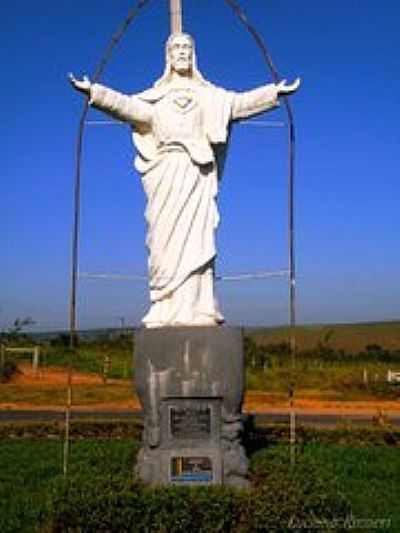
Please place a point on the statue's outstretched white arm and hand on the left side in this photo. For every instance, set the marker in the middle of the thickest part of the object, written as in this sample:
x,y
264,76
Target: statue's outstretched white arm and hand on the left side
x,y
120,106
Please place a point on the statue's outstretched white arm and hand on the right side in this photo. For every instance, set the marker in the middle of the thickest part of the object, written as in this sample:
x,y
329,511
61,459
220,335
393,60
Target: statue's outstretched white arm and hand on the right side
x,y
250,103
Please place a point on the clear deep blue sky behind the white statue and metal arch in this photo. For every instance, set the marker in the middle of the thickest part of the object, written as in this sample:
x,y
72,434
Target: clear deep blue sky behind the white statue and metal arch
x,y
347,168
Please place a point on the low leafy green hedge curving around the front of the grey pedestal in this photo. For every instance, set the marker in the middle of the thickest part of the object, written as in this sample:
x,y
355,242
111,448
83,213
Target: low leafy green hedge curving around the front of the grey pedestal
x,y
281,499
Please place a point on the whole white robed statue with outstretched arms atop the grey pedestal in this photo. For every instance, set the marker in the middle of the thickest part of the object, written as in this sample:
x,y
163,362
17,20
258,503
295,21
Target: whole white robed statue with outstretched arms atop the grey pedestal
x,y
180,127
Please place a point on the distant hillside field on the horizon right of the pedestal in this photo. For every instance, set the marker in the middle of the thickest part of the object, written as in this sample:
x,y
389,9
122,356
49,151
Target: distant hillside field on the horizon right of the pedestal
x,y
349,337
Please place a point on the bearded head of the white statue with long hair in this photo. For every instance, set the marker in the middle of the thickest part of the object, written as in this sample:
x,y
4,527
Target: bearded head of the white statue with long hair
x,y
180,57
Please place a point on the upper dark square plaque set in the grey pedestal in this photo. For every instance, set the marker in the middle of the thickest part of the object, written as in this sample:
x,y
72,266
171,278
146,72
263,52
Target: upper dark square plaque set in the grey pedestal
x,y
190,422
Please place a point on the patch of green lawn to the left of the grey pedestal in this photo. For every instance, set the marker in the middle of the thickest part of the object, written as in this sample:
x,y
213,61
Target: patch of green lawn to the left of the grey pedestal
x,y
28,469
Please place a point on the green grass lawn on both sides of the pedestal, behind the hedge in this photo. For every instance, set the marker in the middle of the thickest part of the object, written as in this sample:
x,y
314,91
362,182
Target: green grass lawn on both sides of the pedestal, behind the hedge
x,y
368,475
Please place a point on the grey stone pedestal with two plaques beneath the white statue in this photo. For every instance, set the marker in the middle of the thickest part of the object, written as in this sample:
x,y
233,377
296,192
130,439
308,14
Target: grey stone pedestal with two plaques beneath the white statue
x,y
190,383
